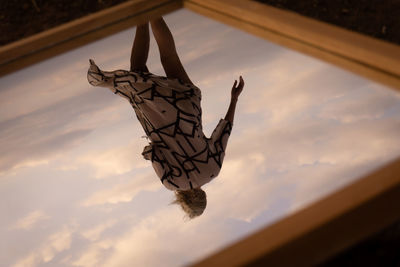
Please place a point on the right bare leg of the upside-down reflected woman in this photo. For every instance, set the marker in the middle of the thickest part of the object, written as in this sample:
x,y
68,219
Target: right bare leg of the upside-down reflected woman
x,y
169,57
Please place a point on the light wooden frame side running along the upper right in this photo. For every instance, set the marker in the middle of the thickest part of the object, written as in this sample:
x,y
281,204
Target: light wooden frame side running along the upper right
x,y
371,58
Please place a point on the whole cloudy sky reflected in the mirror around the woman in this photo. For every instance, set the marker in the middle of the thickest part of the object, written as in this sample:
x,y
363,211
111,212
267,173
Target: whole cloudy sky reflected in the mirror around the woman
x,y
76,191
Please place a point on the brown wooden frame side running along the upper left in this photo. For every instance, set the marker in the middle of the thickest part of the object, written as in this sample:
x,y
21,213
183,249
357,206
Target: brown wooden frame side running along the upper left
x,y
79,32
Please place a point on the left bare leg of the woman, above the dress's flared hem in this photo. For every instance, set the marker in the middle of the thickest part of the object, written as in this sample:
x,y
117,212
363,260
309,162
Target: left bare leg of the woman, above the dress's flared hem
x,y
140,48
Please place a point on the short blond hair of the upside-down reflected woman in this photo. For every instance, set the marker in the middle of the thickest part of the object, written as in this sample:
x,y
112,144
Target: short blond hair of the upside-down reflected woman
x,y
193,202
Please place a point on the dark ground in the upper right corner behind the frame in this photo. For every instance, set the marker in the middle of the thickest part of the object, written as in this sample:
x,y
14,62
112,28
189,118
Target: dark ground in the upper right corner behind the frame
x,y
377,18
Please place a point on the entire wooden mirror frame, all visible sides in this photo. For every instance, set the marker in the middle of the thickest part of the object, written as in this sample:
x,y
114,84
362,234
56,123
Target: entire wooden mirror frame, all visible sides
x,y
321,230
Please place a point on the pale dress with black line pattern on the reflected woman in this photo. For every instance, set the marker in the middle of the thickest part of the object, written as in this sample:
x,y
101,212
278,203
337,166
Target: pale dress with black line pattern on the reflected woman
x,y
170,114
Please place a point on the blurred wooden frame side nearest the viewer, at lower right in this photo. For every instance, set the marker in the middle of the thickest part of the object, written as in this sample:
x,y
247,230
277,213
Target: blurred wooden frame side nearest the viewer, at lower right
x,y
321,230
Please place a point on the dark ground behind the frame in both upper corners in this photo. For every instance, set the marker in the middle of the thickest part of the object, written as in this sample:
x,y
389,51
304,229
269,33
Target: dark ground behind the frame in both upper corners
x,y
377,18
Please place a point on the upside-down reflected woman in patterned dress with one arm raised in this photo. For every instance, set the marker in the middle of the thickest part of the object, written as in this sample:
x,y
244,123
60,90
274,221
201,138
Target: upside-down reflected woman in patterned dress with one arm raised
x,y
169,110
